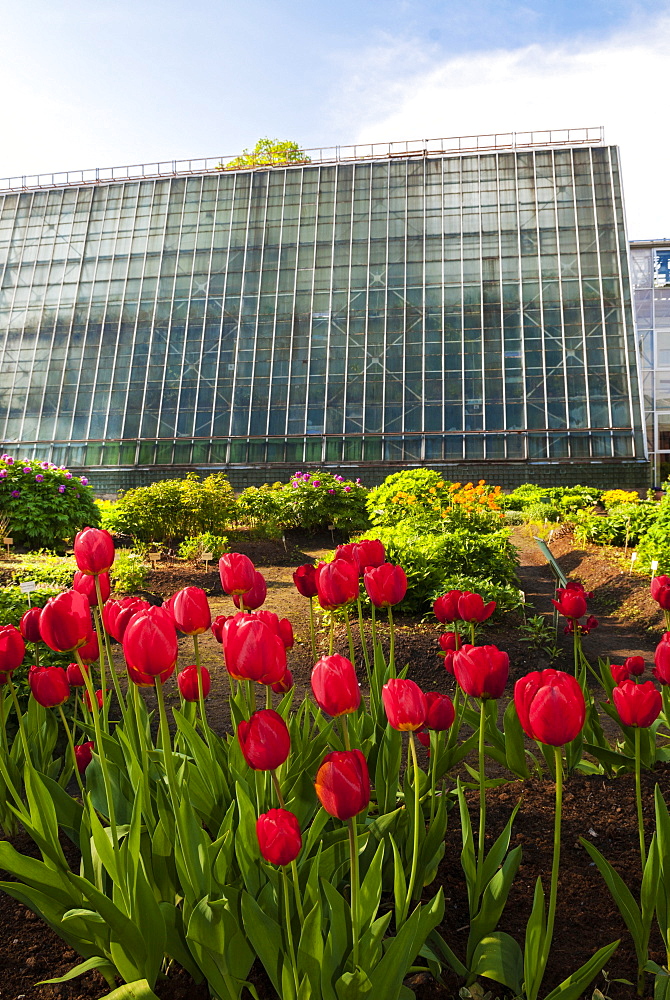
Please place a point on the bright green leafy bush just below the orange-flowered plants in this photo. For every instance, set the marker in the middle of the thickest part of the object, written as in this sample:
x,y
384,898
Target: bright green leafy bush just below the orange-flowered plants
x,y
461,560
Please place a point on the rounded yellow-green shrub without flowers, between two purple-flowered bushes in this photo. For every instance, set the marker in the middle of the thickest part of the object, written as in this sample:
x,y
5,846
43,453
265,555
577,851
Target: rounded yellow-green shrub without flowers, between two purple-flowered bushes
x,y
176,508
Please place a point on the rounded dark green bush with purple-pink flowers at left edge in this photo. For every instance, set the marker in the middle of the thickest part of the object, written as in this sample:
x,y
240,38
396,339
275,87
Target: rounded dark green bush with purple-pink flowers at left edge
x,y
45,505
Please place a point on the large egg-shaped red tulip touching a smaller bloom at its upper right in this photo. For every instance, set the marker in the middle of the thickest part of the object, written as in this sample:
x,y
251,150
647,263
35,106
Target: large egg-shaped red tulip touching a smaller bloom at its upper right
x,y
150,646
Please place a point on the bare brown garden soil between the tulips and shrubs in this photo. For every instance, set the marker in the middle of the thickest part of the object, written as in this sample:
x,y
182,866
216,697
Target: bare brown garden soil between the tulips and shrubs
x,y
596,809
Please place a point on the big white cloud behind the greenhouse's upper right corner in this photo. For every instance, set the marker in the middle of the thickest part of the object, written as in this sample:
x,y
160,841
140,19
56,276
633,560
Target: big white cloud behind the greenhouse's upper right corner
x,y
618,82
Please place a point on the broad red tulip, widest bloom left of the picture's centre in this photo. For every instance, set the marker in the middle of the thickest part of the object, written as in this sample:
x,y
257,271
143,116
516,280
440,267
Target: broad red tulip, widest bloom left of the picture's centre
x,y
252,651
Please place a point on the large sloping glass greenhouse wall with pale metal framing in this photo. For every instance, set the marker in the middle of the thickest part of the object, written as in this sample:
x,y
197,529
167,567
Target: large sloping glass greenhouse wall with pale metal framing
x,y
459,311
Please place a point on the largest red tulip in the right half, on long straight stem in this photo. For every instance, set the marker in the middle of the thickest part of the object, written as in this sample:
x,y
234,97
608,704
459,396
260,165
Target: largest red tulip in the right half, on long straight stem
x,y
550,706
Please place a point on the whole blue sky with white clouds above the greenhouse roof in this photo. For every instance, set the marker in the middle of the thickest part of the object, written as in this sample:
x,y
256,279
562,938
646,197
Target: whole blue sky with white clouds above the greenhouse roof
x,y
97,84
